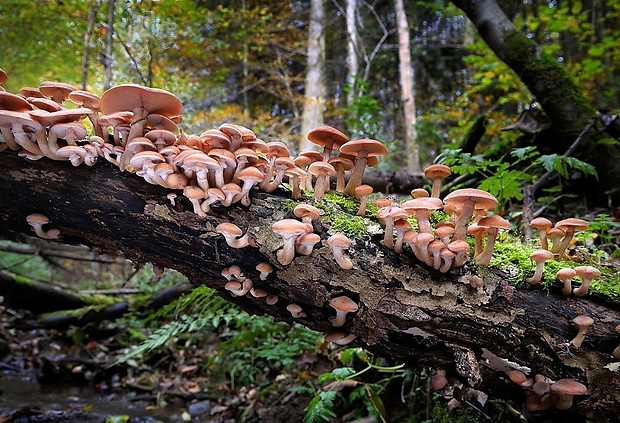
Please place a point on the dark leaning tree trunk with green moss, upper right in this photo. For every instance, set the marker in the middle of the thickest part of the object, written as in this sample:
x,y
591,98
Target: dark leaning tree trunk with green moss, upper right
x,y
554,88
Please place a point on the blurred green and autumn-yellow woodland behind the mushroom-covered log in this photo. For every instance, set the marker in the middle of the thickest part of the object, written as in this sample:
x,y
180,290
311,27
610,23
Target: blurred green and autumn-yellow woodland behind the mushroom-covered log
x,y
252,63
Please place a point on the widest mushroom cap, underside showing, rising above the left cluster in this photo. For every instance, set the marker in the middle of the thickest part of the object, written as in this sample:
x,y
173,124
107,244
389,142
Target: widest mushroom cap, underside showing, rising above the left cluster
x,y
128,97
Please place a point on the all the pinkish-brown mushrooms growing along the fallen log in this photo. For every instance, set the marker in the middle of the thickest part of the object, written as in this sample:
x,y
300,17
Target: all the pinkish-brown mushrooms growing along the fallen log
x,y
135,128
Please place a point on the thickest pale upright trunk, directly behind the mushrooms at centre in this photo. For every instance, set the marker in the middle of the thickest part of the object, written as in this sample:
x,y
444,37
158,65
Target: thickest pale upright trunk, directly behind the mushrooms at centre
x,y
314,102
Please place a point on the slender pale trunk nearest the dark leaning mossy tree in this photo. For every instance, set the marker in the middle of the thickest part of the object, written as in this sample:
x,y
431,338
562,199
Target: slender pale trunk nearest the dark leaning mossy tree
x,y
407,89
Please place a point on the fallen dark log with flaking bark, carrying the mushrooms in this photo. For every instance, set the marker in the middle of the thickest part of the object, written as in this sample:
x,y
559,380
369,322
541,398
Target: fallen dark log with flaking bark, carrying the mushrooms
x,y
408,312
